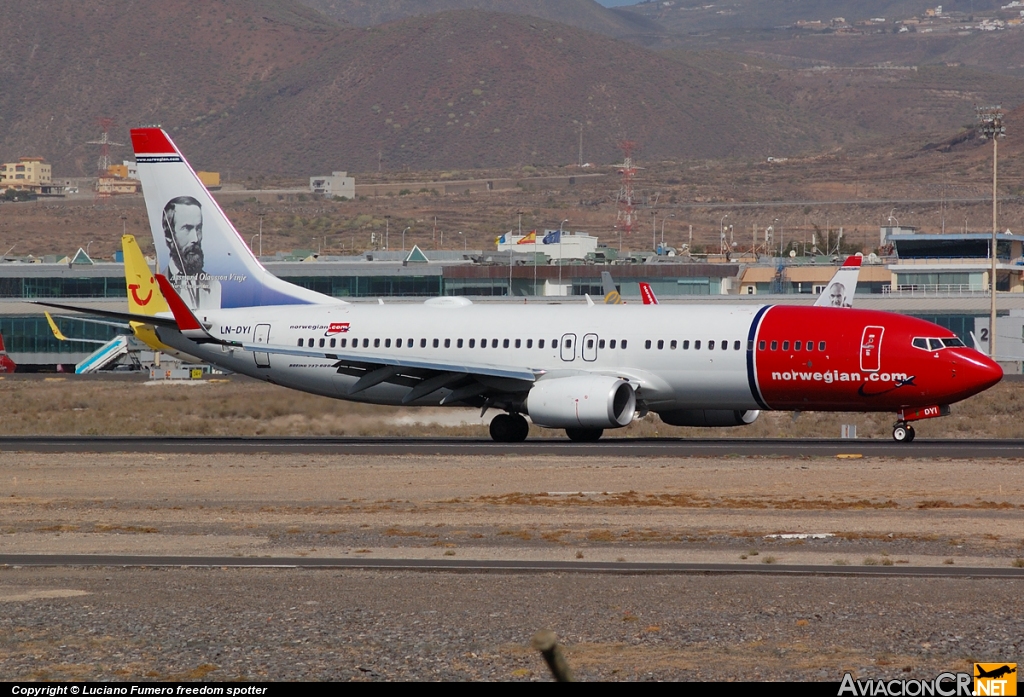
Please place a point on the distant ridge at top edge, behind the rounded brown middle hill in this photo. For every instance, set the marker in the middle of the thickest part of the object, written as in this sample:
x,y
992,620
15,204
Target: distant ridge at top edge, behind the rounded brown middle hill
x,y
585,15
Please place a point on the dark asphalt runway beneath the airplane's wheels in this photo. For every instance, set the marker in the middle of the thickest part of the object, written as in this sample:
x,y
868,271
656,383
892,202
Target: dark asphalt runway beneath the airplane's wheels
x,y
617,448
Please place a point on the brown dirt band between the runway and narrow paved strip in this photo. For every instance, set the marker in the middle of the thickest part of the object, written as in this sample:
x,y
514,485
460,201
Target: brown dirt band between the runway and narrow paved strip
x,y
776,510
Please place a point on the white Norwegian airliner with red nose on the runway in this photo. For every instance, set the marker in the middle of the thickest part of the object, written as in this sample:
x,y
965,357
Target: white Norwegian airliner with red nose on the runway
x,y
582,368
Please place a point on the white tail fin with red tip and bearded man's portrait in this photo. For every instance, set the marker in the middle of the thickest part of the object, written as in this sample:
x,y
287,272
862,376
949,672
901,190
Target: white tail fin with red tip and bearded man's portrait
x,y
203,256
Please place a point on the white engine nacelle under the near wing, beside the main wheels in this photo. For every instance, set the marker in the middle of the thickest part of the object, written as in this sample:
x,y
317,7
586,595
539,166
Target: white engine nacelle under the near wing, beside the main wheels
x,y
582,402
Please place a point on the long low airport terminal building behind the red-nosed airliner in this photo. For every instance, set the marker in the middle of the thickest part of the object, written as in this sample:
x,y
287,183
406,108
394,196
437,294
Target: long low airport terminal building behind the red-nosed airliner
x,y
943,279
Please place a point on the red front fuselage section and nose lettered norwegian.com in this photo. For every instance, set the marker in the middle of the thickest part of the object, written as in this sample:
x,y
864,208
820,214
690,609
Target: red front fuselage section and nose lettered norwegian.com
x,y
836,379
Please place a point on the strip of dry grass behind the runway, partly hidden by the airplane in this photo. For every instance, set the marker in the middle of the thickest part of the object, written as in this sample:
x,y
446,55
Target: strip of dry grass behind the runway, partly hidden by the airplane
x,y
242,408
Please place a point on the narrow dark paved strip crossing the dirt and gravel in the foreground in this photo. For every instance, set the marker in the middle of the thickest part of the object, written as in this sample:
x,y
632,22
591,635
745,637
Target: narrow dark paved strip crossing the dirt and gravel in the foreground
x,y
509,567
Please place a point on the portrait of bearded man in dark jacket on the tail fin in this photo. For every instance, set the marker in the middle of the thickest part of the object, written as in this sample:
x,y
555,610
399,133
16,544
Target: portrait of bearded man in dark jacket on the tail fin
x,y
183,224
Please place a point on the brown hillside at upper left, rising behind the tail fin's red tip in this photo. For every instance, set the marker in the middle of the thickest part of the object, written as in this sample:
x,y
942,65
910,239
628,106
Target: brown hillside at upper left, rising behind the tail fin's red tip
x,y
64,65
